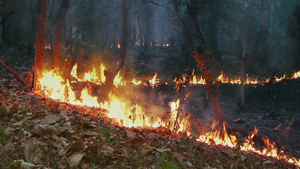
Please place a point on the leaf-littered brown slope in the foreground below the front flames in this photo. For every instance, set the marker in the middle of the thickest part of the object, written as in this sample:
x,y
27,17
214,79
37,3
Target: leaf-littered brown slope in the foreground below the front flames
x,y
42,133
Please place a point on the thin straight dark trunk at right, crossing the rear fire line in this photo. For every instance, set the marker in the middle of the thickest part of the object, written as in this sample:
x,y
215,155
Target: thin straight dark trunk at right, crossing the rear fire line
x,y
242,92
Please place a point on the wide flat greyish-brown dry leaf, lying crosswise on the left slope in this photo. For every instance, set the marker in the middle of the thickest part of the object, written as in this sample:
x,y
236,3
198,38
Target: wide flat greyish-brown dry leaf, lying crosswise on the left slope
x,y
41,129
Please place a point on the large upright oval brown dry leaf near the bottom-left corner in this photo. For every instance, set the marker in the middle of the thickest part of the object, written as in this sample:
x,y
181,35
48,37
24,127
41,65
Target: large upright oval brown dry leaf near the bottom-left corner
x,y
33,153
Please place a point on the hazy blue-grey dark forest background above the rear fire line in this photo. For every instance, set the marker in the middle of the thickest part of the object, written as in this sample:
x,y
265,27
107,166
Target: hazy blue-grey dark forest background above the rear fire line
x,y
162,34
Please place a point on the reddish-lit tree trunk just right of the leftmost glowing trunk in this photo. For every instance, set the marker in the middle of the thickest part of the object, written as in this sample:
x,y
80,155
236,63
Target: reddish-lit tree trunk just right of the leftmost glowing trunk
x,y
61,13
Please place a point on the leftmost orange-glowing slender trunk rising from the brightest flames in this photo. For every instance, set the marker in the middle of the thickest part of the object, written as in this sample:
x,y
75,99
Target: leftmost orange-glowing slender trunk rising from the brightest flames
x,y
40,43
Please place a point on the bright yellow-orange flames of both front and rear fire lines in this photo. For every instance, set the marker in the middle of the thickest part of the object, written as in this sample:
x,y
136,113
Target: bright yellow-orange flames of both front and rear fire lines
x,y
128,114
